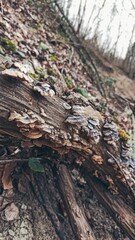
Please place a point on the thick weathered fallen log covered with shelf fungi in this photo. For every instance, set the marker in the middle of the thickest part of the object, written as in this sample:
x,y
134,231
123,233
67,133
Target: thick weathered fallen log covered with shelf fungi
x,y
38,119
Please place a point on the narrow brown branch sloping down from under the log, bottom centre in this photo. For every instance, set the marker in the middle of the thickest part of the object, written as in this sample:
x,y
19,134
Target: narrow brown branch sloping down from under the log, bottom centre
x,y
80,226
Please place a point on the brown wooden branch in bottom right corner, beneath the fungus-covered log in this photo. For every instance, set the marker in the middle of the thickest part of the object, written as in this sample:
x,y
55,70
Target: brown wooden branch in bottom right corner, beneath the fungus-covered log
x,y
121,212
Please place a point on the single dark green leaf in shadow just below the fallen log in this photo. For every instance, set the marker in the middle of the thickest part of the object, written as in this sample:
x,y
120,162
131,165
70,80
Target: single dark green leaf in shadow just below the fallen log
x,y
35,165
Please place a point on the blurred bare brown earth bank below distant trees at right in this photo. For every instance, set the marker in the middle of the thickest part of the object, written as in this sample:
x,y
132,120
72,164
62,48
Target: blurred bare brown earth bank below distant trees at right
x,y
124,85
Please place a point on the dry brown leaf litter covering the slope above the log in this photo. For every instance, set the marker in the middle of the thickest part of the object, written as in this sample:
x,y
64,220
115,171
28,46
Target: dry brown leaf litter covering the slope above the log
x,y
29,46
